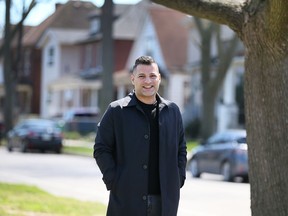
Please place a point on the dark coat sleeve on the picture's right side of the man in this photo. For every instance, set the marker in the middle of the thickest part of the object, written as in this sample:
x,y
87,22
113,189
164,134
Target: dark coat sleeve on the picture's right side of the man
x,y
182,152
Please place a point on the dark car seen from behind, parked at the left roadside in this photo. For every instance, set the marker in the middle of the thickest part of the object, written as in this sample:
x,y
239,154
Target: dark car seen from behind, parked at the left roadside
x,y
40,134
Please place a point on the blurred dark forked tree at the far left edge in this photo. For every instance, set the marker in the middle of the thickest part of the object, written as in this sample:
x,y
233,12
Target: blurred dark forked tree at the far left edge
x,y
10,81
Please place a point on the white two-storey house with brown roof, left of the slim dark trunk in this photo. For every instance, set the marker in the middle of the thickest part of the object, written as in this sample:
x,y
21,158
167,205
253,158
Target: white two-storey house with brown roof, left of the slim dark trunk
x,y
62,56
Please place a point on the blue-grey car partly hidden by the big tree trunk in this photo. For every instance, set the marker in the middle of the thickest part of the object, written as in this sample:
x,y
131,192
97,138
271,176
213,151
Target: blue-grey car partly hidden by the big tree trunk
x,y
224,153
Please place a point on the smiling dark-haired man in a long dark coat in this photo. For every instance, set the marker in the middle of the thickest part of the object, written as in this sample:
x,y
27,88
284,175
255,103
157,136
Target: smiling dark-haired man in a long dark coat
x,y
140,148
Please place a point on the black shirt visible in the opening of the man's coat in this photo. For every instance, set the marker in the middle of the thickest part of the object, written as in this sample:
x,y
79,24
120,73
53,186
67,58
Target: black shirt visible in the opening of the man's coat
x,y
151,111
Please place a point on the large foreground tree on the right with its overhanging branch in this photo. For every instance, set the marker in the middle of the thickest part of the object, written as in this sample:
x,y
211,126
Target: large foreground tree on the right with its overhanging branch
x,y
262,27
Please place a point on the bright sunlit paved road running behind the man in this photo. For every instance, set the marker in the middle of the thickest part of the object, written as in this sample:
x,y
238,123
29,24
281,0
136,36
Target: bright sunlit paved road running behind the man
x,y
80,178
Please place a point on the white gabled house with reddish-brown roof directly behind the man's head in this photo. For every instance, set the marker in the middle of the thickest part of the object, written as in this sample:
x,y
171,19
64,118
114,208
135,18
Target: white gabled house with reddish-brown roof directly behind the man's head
x,y
165,36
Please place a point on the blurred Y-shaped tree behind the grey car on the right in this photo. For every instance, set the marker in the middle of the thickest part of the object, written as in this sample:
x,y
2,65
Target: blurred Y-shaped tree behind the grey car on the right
x,y
212,77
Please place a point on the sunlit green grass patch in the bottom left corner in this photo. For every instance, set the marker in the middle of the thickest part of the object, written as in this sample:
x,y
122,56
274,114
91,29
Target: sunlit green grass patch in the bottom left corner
x,y
23,200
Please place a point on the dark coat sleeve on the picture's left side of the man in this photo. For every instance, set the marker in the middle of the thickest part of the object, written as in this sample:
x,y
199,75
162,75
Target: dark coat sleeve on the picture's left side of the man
x,y
104,148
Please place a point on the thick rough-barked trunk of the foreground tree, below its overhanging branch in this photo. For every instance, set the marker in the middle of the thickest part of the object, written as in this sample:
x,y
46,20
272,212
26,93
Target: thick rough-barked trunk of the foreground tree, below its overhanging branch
x,y
266,105
